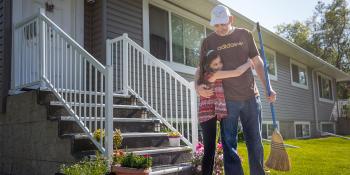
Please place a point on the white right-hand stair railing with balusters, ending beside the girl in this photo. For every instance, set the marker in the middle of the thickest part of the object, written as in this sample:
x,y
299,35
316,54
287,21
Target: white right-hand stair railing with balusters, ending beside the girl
x,y
165,93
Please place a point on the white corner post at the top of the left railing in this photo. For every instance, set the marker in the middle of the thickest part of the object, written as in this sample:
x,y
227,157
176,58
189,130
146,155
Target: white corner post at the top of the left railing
x,y
42,46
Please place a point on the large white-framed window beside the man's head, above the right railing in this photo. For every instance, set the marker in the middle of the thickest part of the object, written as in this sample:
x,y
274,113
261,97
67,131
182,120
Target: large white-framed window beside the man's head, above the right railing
x,y
176,36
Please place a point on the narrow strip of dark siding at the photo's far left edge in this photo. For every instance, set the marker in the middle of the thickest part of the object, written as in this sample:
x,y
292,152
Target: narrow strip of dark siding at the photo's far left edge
x,y
5,50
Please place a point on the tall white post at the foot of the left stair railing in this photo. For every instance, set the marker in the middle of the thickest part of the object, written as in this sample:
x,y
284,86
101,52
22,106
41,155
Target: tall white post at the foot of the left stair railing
x,y
109,102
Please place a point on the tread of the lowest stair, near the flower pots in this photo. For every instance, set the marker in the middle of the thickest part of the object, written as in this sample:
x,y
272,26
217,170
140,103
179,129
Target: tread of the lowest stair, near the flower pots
x,y
166,169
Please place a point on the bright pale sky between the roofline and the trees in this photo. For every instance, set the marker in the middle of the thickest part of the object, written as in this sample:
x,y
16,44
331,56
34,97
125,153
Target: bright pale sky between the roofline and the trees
x,y
270,13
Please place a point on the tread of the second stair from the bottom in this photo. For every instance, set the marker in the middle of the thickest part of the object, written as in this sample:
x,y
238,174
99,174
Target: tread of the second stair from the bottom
x,y
156,150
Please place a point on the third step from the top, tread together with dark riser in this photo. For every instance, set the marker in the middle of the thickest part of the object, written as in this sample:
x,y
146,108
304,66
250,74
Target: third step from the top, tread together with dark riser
x,y
68,125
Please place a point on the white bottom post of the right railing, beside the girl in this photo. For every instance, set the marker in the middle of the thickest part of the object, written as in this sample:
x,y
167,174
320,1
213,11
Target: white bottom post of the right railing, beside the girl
x,y
194,119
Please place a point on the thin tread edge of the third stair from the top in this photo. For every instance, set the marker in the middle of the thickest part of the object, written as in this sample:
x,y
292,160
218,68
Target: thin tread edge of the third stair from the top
x,y
115,119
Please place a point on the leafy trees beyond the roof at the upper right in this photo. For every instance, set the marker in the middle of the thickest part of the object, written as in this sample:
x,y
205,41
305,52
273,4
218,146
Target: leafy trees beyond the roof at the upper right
x,y
326,34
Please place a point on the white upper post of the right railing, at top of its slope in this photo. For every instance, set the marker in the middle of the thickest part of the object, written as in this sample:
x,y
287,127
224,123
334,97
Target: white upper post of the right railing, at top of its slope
x,y
125,68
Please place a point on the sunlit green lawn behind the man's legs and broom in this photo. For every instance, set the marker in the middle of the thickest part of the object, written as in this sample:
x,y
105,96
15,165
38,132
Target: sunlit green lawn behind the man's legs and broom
x,y
322,156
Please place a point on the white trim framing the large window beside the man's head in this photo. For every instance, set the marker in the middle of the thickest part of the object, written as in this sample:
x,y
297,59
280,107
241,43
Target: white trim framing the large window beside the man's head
x,y
171,9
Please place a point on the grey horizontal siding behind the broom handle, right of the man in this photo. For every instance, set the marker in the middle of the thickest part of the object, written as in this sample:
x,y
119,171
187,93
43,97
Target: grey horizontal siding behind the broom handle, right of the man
x,y
293,103
